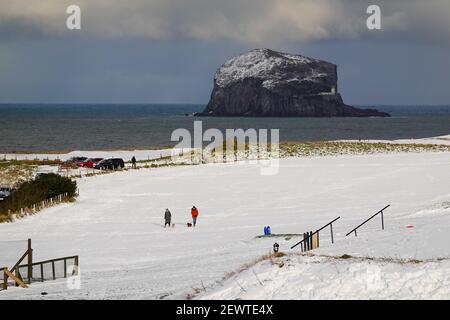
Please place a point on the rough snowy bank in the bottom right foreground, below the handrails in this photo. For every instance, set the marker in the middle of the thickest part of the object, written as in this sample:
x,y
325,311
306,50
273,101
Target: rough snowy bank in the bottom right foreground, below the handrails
x,y
299,277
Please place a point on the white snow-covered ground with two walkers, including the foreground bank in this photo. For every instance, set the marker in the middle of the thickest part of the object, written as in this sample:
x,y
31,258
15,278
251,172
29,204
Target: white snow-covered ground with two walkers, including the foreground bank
x,y
125,253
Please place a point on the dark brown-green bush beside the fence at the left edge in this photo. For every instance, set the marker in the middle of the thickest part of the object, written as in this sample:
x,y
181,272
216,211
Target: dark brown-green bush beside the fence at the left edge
x,y
32,192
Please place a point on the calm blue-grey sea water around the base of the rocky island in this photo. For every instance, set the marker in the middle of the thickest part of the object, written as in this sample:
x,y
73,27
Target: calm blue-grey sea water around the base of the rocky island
x,y
90,127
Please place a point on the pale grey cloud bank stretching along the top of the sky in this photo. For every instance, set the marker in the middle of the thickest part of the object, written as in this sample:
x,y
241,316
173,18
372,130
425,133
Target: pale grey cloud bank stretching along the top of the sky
x,y
247,21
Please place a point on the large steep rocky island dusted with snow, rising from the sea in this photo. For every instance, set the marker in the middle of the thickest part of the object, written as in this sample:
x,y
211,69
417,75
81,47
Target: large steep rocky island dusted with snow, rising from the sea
x,y
266,83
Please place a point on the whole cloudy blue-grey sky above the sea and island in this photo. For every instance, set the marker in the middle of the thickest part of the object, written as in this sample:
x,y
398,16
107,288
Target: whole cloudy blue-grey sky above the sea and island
x,y
167,51
